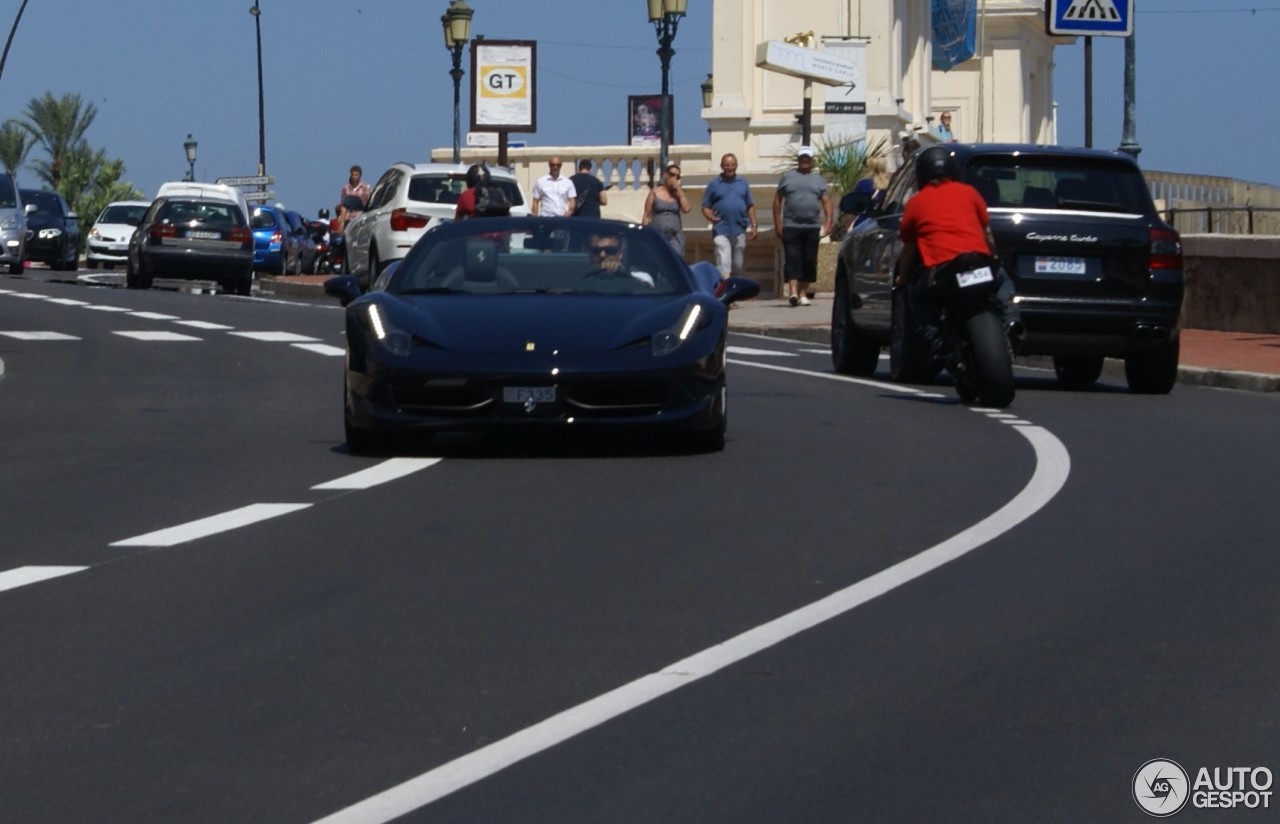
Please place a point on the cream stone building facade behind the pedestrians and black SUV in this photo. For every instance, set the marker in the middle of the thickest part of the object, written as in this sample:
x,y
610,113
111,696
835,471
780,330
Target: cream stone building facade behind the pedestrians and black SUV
x,y
1004,94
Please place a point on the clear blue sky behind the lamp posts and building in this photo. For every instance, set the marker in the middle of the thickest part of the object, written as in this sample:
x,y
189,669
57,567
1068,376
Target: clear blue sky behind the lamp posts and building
x,y
368,81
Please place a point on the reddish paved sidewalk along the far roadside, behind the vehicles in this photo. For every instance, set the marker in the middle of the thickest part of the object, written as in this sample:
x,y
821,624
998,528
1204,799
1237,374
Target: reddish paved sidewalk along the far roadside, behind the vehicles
x,y
1231,360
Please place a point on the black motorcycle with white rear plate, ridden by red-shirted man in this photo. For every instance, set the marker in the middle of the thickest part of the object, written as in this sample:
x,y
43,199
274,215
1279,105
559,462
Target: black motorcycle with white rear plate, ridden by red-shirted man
x,y
975,345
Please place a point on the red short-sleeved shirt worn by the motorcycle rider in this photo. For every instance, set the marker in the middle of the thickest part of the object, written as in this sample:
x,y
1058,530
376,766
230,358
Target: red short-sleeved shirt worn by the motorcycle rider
x,y
945,221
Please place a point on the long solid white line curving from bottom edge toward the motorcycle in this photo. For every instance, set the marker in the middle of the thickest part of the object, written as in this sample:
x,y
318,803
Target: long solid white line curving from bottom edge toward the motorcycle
x,y
1053,466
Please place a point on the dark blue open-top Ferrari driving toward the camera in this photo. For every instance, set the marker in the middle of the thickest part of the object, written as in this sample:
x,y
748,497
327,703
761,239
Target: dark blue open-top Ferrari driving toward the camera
x,y
522,323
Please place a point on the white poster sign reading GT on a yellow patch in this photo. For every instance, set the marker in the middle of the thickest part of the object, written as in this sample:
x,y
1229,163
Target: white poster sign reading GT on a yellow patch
x,y
504,89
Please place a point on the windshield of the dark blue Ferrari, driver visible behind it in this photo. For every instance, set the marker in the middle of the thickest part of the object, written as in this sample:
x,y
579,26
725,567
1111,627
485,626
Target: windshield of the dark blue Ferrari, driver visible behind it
x,y
497,257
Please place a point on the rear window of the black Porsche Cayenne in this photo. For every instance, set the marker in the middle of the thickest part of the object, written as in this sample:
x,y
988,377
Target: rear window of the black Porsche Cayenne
x,y
1063,184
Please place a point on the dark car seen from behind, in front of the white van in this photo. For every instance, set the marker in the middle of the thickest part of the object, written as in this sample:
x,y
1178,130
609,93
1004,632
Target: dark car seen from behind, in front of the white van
x,y
193,239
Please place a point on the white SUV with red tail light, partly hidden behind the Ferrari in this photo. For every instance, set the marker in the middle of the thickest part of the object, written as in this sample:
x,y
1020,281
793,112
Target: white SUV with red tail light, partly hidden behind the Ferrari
x,y
405,203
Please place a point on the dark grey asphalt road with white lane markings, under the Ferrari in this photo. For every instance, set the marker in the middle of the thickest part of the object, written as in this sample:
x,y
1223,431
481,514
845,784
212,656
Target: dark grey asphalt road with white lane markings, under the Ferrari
x,y
876,605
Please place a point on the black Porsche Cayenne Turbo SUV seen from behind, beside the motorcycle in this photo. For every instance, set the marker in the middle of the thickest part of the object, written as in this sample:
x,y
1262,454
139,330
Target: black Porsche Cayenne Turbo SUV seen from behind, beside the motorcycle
x,y
1099,274
